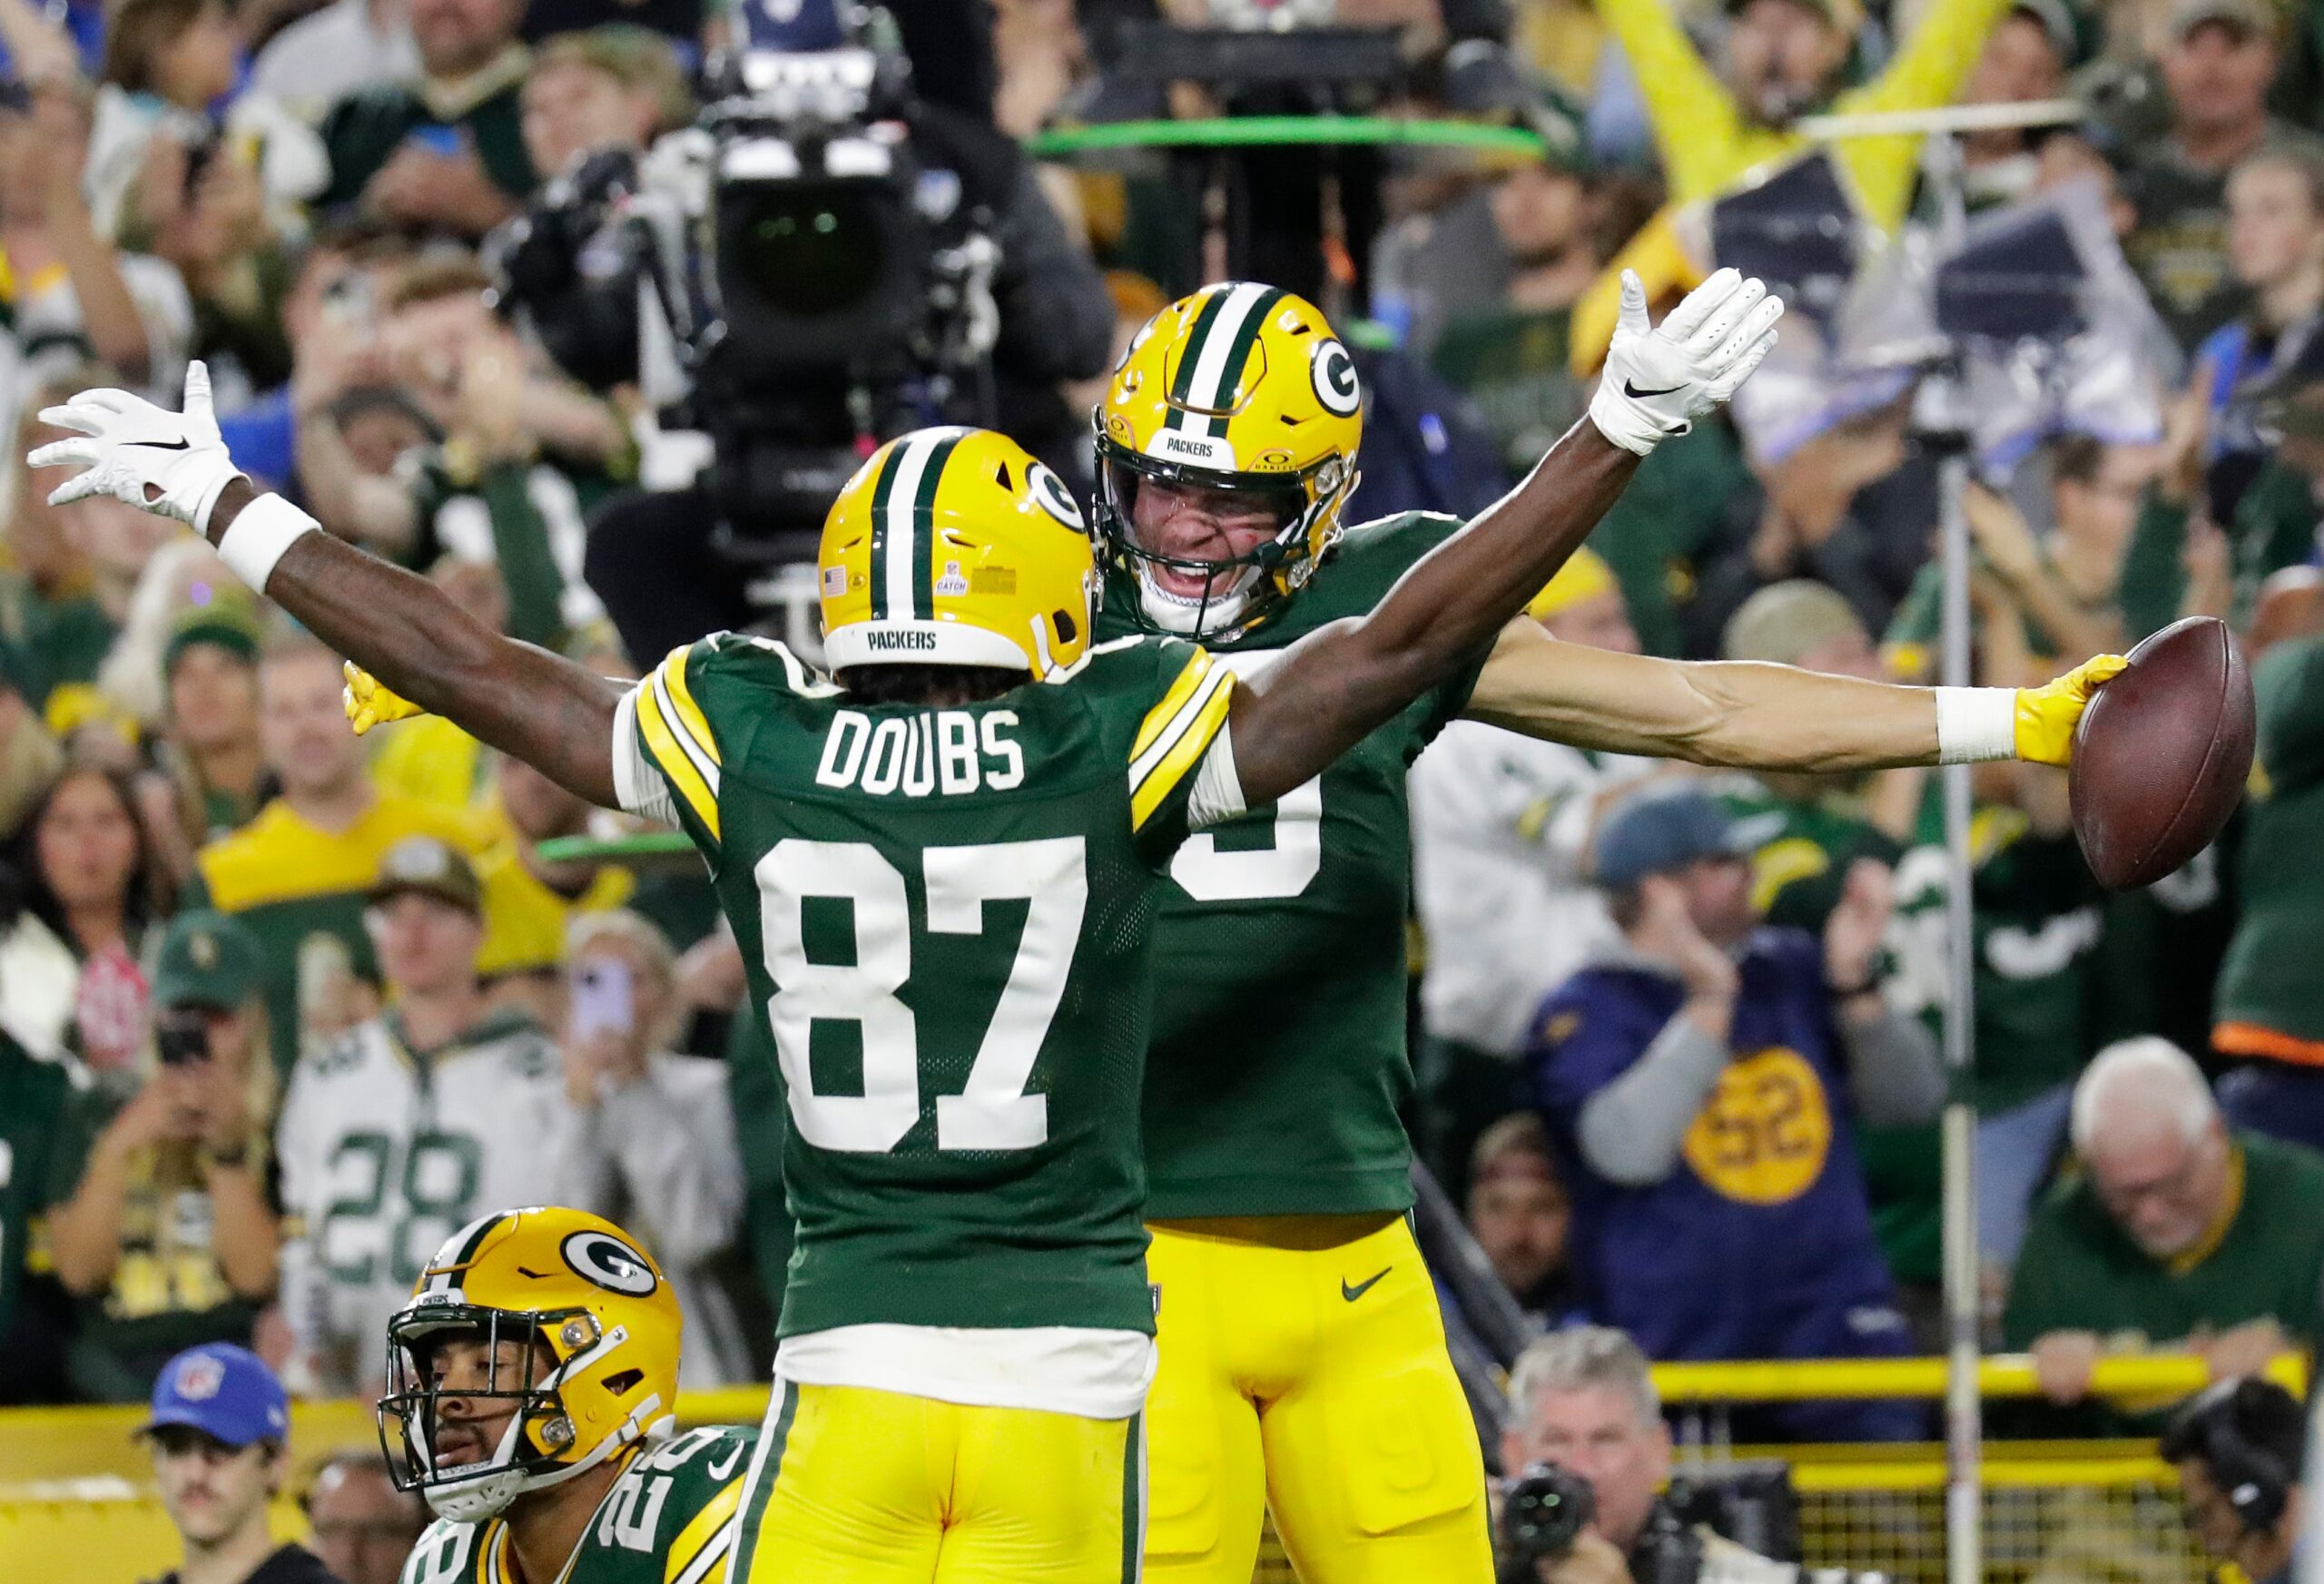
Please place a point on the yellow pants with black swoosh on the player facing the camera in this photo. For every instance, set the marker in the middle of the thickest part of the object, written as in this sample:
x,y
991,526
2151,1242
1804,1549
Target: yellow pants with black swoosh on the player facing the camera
x,y
1305,1367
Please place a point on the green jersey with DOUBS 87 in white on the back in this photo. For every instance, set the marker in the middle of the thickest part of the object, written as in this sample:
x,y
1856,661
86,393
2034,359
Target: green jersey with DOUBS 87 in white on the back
x,y
947,921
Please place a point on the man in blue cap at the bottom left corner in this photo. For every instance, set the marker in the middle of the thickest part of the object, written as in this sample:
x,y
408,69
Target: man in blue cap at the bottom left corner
x,y
220,1437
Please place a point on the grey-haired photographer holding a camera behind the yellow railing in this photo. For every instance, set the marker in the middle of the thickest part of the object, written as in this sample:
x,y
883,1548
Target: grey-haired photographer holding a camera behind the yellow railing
x,y
1586,1450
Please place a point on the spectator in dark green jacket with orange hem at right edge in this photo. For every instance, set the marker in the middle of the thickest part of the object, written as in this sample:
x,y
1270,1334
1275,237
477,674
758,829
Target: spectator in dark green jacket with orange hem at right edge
x,y
2272,986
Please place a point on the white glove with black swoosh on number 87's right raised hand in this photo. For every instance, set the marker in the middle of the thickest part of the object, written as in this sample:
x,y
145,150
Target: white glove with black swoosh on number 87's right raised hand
x,y
1663,377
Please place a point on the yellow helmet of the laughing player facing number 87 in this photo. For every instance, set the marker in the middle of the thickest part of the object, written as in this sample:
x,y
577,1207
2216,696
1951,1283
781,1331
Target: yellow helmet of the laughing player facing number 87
x,y
1240,389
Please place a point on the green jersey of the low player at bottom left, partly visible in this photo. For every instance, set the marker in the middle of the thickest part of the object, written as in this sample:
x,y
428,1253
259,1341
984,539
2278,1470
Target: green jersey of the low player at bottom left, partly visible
x,y
668,1520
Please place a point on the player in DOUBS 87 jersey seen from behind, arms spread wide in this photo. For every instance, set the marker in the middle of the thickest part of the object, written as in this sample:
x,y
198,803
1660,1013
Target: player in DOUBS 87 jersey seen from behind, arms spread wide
x,y
942,872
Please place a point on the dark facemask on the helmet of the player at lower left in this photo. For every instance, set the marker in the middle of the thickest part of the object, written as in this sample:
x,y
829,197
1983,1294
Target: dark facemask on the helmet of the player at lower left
x,y
538,1446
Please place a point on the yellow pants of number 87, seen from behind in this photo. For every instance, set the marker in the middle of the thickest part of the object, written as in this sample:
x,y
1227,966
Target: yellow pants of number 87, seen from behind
x,y
873,1488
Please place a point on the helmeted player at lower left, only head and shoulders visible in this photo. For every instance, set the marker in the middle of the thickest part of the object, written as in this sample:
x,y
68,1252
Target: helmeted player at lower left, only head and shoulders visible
x,y
533,1383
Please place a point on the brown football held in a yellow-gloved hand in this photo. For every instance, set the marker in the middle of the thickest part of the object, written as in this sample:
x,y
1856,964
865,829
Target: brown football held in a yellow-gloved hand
x,y
2162,754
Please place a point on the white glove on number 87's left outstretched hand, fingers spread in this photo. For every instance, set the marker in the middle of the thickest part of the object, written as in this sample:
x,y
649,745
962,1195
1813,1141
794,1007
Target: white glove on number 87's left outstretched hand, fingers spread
x,y
166,463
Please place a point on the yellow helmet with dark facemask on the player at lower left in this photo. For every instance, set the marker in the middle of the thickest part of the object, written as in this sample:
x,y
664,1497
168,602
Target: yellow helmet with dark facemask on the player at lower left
x,y
554,1320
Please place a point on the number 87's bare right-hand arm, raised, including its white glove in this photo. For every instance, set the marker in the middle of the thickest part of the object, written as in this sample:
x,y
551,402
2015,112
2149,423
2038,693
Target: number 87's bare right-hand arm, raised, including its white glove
x,y
1347,679
